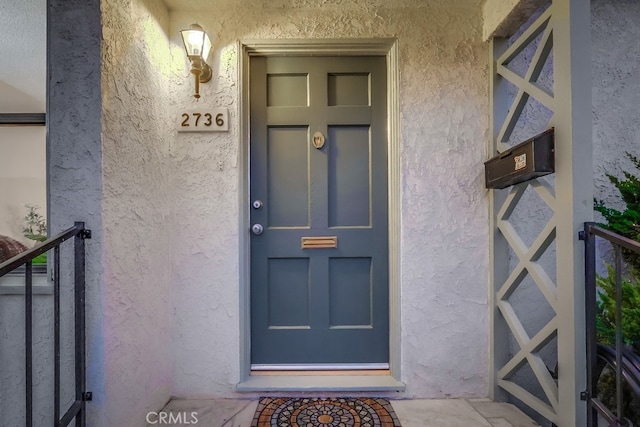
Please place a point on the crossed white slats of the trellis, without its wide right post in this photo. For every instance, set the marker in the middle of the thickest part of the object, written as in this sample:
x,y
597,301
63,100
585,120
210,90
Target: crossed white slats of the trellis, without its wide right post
x,y
538,37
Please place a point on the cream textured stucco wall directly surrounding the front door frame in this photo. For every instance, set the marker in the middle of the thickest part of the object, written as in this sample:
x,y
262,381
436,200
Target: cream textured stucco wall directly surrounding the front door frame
x,y
443,106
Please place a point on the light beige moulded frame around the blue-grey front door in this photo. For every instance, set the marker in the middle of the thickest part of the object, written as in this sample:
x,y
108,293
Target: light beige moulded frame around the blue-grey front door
x,y
320,47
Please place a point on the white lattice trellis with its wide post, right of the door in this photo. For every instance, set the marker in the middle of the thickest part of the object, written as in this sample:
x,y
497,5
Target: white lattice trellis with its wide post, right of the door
x,y
556,44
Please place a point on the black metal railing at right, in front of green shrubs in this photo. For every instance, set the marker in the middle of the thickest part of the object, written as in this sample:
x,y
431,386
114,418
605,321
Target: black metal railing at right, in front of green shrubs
x,y
606,360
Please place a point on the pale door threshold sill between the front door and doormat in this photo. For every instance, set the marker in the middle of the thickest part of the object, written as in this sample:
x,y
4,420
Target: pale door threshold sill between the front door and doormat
x,y
305,382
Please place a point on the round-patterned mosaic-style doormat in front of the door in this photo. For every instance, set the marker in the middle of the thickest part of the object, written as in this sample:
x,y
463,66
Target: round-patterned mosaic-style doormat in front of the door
x,y
324,412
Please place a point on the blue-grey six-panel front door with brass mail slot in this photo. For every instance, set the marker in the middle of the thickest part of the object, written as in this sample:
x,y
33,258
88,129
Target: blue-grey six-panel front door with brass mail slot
x,y
319,268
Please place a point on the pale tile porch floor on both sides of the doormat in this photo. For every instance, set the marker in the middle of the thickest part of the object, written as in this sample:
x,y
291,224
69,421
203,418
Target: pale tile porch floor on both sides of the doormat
x,y
412,413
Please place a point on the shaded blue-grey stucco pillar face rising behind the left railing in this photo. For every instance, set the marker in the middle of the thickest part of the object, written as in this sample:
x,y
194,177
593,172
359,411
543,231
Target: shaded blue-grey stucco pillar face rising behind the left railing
x,y
74,161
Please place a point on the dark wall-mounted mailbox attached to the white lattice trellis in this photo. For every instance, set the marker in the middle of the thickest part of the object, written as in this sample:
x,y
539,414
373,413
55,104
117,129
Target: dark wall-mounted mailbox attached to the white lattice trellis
x,y
528,160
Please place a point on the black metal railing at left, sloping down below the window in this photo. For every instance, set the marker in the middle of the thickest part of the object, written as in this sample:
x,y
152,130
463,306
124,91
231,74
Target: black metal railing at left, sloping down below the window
x,y
77,409
